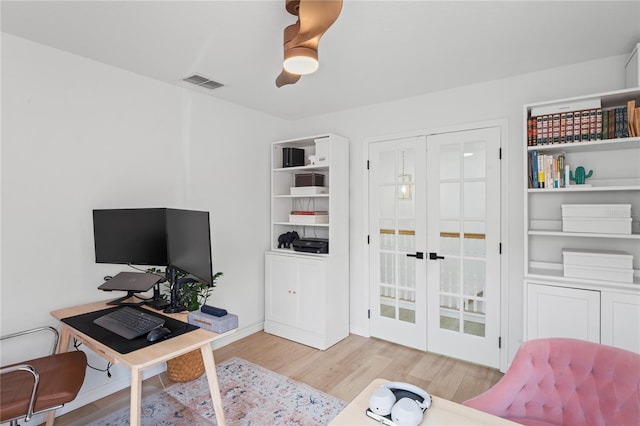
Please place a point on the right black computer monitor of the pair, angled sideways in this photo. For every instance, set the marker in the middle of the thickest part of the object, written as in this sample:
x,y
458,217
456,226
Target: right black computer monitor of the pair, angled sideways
x,y
189,243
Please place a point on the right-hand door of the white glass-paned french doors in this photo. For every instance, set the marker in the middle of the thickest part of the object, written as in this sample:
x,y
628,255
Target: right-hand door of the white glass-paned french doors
x,y
464,245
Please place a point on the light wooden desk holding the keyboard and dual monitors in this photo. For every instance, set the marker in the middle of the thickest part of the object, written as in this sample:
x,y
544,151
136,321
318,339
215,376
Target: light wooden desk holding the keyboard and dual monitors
x,y
149,356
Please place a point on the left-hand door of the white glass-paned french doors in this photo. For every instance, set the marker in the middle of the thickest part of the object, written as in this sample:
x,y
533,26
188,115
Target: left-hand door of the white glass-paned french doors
x,y
397,237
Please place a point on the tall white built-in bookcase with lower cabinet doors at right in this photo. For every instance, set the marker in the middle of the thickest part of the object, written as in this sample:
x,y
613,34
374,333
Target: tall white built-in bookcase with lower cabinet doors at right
x,y
592,309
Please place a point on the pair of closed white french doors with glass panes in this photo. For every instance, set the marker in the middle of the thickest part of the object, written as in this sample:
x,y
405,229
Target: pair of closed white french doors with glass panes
x,y
434,241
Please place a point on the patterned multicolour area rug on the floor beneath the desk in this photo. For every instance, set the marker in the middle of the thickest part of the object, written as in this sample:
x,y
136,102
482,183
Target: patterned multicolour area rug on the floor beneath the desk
x,y
251,395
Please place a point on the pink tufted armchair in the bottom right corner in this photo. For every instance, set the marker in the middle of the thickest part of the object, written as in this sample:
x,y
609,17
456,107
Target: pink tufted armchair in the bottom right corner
x,y
561,381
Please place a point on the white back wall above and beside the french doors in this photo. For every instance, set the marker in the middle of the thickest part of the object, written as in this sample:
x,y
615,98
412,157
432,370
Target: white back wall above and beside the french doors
x,y
501,99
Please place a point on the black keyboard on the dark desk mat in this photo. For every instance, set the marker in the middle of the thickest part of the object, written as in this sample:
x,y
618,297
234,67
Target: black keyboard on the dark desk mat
x,y
129,322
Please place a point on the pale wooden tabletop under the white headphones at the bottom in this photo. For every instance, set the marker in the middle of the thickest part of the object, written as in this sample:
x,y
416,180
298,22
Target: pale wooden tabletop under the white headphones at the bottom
x,y
441,412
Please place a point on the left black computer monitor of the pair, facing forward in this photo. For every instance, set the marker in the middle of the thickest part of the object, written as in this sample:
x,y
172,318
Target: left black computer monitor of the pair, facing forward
x,y
130,236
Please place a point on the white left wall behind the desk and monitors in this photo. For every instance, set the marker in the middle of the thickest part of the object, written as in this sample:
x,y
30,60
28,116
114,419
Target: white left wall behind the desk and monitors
x,y
79,135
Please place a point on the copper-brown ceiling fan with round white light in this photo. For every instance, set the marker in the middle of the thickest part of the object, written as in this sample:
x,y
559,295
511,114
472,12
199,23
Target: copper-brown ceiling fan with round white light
x,y
301,39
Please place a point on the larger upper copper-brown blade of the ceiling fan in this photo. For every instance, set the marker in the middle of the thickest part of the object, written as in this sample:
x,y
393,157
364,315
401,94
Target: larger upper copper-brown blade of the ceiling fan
x,y
315,18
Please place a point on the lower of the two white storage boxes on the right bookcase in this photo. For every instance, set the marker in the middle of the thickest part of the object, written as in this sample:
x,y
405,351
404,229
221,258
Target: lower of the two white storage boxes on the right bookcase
x,y
598,265
